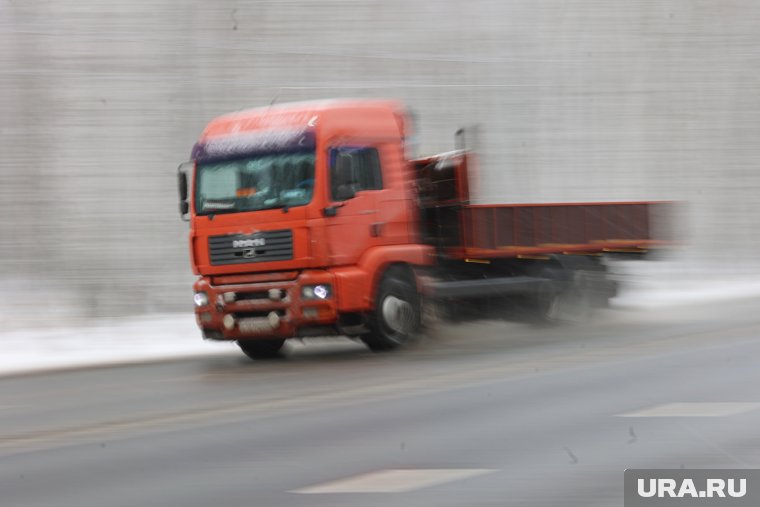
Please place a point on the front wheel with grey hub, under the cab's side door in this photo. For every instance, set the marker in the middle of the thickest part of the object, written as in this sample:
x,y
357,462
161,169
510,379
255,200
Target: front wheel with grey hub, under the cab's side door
x,y
396,318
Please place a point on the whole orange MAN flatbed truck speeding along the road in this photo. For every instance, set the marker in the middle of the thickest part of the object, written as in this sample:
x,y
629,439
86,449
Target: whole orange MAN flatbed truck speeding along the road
x,y
309,219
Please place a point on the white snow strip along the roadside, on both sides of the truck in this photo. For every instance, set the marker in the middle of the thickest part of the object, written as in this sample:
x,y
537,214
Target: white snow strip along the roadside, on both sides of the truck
x,y
159,337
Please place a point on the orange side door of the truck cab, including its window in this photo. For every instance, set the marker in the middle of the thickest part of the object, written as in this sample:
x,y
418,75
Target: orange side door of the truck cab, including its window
x,y
355,184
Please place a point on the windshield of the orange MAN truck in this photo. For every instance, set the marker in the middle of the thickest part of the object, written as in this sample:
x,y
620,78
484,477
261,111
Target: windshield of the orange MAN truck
x,y
255,183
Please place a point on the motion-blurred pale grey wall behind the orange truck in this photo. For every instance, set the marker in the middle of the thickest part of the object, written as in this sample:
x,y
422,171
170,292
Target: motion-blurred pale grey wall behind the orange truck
x,y
575,101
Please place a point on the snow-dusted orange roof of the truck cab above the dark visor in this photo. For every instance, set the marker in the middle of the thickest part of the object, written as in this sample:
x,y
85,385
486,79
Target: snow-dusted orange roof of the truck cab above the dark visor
x,y
382,116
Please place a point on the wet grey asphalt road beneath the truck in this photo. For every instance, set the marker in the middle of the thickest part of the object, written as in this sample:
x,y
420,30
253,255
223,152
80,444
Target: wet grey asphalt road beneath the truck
x,y
483,414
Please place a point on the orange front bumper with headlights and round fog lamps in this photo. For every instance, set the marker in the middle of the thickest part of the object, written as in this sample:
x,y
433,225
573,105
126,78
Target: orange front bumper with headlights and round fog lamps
x,y
303,305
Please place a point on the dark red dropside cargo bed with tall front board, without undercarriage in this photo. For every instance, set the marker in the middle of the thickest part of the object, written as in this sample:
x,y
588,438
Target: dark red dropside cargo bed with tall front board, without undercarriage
x,y
463,230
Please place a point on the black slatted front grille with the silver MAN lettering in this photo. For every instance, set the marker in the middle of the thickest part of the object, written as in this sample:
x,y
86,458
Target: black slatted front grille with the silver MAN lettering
x,y
260,247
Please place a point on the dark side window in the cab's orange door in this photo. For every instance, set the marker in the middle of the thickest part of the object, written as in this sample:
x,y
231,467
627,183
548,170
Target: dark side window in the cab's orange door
x,y
353,169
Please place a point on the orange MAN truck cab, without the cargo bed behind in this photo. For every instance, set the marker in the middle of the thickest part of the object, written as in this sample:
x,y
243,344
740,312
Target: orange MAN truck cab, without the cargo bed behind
x,y
295,212
